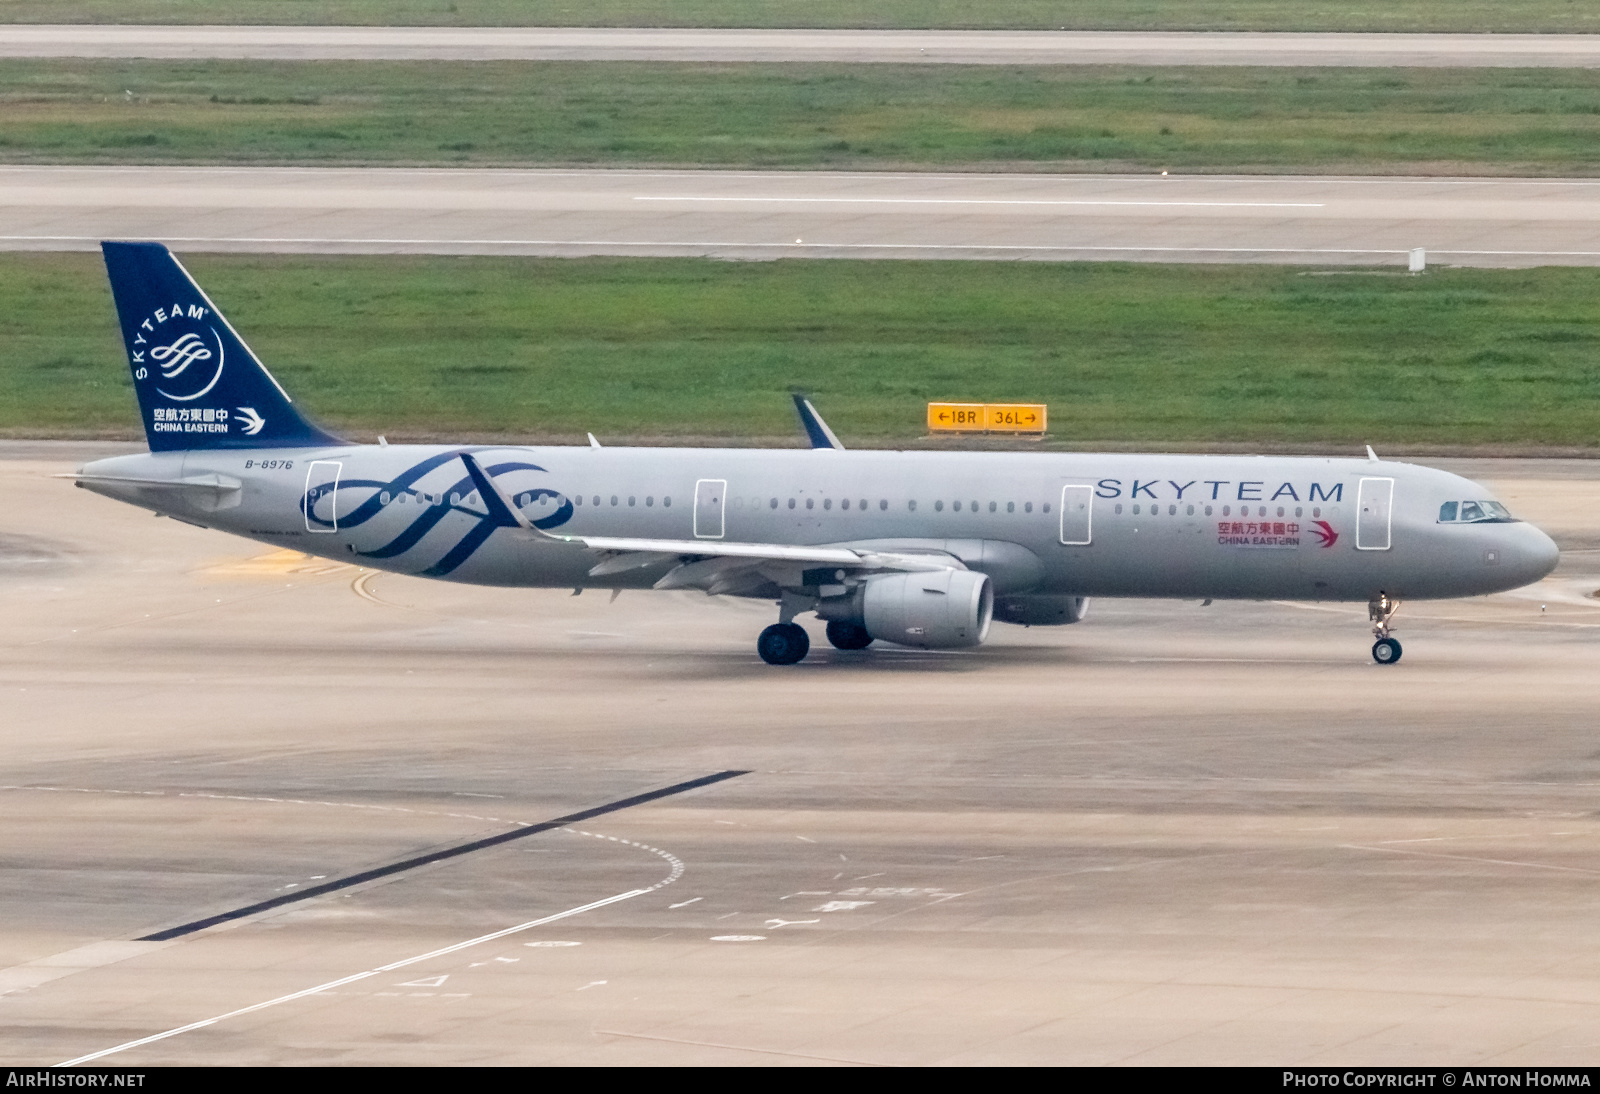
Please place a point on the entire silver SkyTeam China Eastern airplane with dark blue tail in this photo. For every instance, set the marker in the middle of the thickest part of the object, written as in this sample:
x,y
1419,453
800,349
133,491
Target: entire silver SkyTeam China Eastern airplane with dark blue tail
x,y
922,549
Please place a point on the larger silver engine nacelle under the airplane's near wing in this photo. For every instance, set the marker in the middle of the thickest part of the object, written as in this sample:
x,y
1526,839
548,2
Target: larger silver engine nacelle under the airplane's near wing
x,y
935,610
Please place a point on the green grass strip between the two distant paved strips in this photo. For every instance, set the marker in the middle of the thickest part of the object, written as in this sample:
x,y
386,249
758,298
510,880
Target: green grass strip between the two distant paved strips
x,y
804,116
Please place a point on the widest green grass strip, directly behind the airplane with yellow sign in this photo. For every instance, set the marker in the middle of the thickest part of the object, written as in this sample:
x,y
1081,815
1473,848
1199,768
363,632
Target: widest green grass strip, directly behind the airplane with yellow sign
x,y
1126,354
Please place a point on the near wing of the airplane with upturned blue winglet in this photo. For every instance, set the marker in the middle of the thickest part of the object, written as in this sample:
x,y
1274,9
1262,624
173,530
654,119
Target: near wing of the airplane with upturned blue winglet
x,y
710,564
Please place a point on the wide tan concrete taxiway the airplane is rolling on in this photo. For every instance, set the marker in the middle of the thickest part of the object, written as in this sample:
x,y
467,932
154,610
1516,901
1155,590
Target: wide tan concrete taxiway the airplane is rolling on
x,y
1169,836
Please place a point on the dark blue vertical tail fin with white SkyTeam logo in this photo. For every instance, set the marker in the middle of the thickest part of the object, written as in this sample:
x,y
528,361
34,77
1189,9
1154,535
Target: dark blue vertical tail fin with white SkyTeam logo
x,y
199,385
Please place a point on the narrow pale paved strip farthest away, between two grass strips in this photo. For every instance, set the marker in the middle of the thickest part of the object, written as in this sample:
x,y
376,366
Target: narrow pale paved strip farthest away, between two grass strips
x,y
916,47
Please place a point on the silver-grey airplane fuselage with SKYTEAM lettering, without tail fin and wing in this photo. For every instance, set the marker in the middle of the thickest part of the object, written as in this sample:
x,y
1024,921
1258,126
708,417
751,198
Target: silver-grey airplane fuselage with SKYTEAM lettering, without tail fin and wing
x,y
1074,524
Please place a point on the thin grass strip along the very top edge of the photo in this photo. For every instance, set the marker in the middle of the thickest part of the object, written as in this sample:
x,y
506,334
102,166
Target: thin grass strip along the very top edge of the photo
x,y
994,15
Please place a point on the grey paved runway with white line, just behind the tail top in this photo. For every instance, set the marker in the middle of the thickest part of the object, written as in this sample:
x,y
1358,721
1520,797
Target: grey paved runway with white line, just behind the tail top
x,y
748,215
